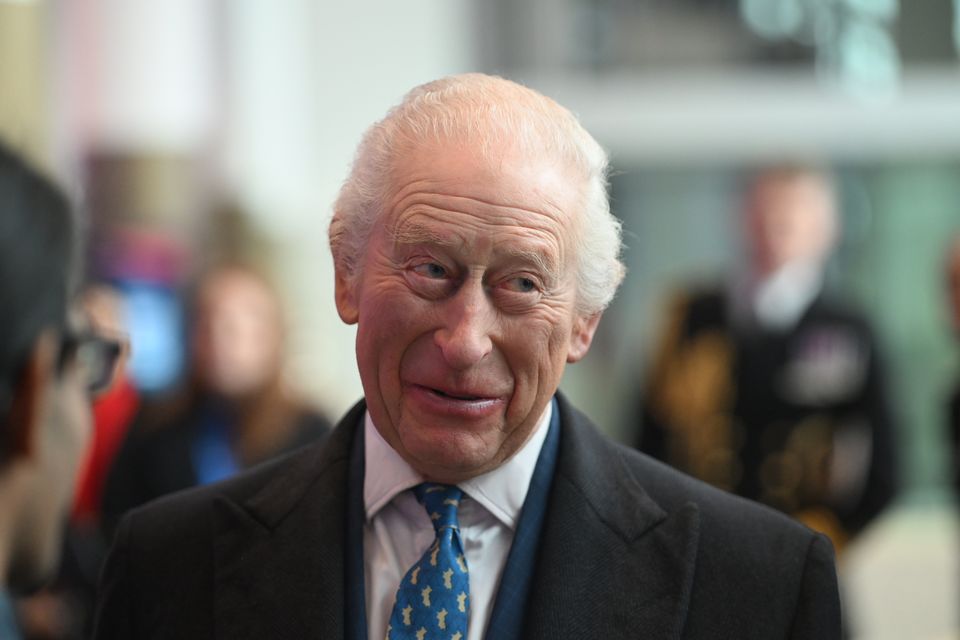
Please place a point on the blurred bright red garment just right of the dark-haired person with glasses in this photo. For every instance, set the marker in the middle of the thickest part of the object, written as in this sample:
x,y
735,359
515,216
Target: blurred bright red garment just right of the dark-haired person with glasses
x,y
113,413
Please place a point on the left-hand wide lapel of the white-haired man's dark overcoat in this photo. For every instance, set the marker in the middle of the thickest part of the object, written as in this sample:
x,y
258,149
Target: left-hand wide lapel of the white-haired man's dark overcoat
x,y
279,555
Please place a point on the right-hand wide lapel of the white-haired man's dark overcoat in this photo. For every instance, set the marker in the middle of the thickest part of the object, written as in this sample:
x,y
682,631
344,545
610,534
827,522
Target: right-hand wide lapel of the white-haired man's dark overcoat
x,y
612,562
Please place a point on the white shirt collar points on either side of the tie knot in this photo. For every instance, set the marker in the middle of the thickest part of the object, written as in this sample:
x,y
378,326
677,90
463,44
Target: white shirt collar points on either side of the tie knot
x,y
500,491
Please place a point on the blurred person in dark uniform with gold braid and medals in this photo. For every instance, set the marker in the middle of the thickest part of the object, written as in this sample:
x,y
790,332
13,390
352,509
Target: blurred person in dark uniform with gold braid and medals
x,y
770,388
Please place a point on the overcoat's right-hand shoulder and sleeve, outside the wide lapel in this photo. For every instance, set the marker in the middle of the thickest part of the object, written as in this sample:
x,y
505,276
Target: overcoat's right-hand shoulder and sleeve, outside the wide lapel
x,y
756,568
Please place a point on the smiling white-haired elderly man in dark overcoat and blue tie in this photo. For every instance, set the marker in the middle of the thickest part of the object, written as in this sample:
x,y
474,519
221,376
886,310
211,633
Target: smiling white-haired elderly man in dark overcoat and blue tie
x,y
465,498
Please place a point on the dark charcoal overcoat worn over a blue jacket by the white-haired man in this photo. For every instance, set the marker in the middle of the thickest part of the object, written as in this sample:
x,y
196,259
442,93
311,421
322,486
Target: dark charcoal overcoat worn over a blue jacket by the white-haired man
x,y
630,549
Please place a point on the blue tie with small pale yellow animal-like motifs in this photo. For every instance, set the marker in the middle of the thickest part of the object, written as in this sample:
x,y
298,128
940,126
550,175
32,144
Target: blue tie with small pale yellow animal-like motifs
x,y
433,600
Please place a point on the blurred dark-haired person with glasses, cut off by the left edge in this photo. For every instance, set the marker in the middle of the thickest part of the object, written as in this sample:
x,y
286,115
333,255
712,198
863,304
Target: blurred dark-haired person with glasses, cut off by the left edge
x,y
50,365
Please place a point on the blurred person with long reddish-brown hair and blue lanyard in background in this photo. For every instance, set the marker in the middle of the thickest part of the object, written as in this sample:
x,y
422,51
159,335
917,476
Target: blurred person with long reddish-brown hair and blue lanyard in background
x,y
236,411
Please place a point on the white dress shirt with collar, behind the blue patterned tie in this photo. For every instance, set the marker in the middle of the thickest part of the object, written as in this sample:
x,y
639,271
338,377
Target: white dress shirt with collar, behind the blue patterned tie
x,y
397,530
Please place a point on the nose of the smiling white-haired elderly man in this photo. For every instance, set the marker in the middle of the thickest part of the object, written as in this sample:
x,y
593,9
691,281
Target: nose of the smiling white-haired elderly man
x,y
466,322
